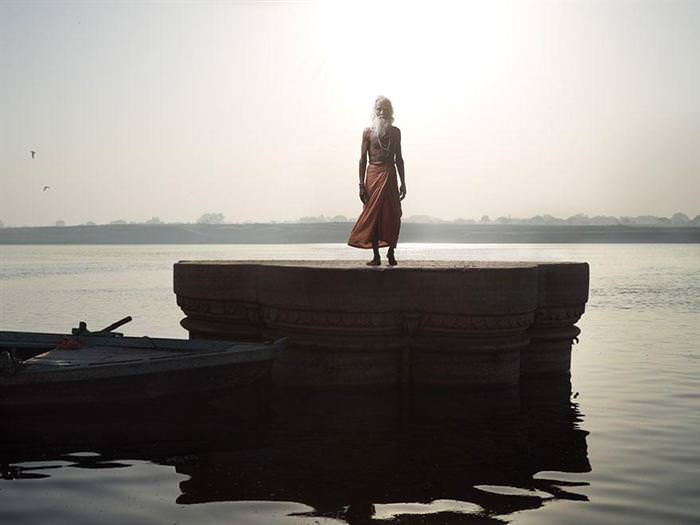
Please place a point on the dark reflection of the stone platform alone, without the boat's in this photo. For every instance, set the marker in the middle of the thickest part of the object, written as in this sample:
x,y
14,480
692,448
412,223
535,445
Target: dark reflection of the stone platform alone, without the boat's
x,y
344,452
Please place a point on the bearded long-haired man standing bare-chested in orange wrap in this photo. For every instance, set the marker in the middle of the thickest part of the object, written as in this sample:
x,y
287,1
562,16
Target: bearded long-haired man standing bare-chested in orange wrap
x,y
380,221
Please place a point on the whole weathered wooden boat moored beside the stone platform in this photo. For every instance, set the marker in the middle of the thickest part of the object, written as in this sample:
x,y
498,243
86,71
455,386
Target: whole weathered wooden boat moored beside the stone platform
x,y
41,370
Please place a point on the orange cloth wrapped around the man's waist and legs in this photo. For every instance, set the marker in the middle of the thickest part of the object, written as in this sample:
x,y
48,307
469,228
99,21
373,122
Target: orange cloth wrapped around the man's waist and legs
x,y
381,216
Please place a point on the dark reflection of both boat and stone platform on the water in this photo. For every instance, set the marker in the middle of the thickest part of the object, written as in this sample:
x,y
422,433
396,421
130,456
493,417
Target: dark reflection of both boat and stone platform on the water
x,y
428,457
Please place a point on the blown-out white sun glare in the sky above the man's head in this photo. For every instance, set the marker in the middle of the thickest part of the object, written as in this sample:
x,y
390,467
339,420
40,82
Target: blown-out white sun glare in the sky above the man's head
x,y
408,51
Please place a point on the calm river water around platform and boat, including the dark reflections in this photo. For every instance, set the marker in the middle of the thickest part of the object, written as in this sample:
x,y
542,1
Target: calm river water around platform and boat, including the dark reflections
x,y
619,444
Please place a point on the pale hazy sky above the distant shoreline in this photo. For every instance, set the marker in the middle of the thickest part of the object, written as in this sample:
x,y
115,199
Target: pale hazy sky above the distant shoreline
x,y
256,110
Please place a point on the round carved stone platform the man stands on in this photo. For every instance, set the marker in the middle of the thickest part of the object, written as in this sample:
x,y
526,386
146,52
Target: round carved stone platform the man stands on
x,y
424,323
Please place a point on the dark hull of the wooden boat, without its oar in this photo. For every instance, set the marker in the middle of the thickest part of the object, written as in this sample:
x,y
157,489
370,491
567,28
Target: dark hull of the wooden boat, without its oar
x,y
82,377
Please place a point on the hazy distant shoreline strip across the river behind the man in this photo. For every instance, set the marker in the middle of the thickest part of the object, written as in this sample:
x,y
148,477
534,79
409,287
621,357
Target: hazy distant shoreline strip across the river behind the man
x,y
337,232
